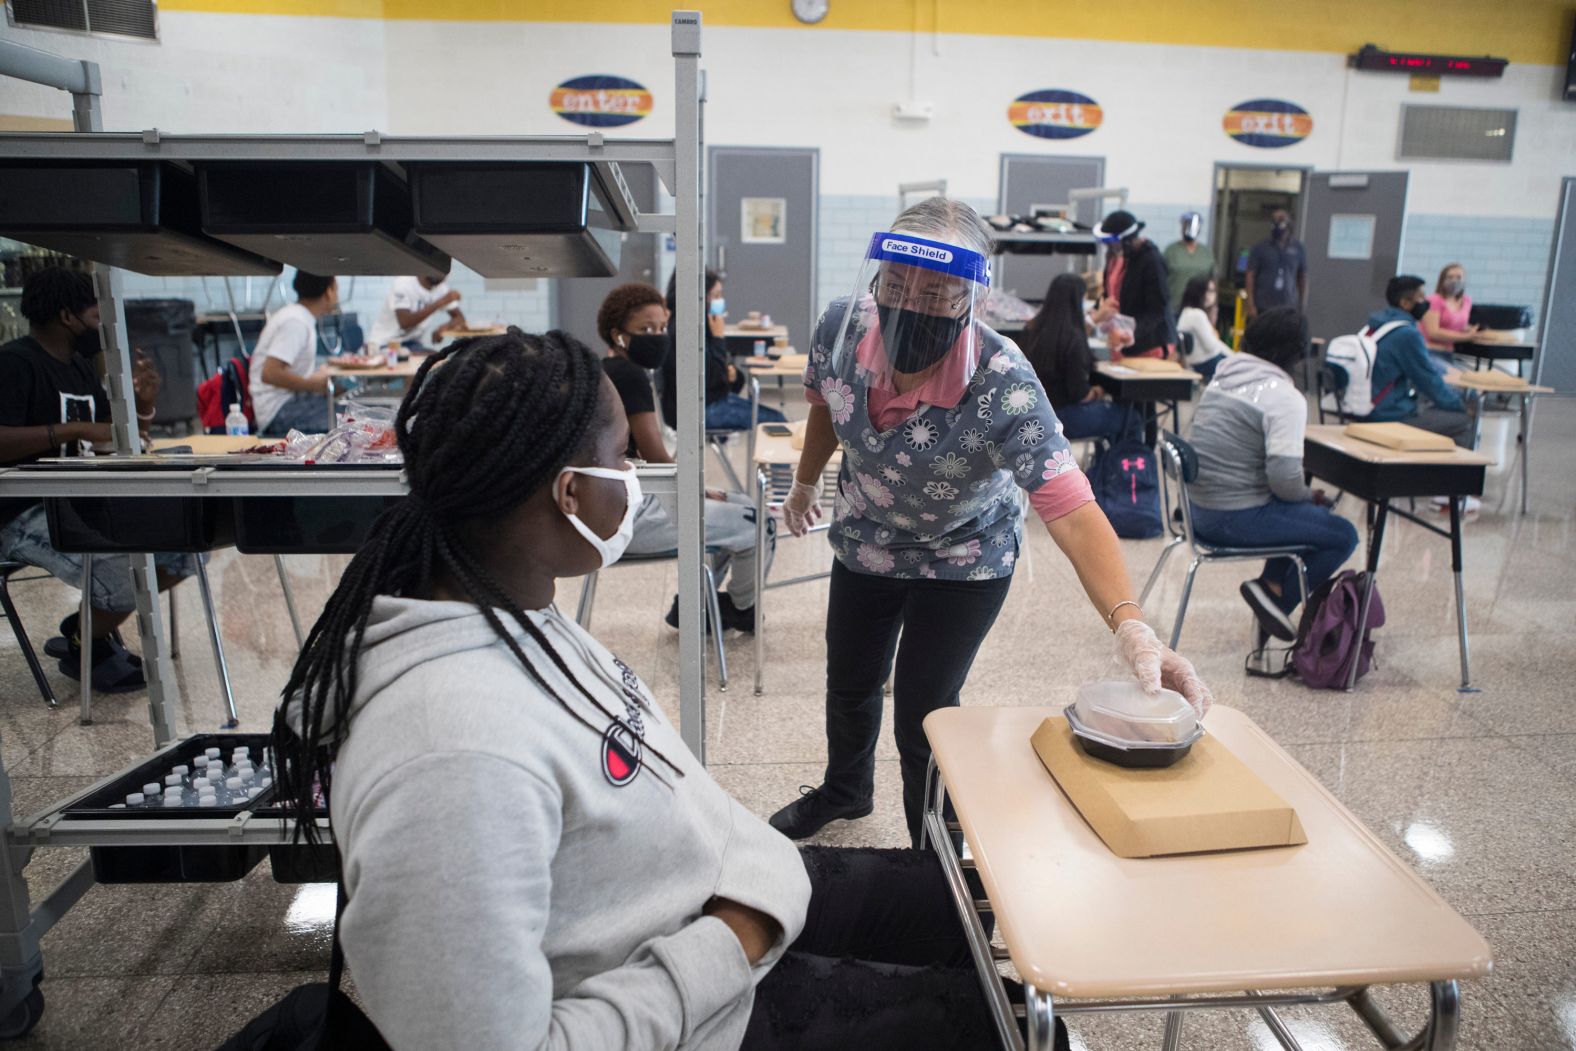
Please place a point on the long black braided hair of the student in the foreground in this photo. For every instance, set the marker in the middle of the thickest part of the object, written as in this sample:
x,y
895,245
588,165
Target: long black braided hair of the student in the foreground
x,y
480,437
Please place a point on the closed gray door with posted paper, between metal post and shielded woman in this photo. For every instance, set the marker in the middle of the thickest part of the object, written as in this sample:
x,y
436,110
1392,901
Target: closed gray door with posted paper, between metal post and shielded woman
x,y
762,221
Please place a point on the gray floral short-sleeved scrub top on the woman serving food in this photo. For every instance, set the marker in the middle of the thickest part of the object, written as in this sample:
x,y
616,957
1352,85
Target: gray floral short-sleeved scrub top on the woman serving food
x,y
935,496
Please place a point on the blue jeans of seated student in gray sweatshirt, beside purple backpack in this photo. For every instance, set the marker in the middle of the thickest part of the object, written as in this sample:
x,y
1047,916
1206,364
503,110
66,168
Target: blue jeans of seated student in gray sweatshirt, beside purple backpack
x,y
1331,537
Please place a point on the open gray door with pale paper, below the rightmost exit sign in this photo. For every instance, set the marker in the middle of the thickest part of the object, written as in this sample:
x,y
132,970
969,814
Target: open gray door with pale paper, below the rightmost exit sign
x,y
1351,226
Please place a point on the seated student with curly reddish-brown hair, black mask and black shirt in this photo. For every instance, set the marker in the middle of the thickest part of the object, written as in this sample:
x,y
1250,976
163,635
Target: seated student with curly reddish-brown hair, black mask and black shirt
x,y
634,325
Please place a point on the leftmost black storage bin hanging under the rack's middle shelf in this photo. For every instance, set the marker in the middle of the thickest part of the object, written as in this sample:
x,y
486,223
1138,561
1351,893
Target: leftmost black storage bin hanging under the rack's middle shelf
x,y
133,525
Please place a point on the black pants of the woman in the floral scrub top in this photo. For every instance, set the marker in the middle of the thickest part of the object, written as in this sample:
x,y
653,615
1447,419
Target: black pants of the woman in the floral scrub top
x,y
943,625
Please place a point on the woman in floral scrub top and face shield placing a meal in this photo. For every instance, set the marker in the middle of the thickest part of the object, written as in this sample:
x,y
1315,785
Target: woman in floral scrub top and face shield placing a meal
x,y
940,422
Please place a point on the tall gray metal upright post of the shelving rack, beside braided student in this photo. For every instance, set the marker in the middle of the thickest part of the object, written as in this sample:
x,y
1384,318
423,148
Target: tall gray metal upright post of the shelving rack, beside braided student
x,y
688,346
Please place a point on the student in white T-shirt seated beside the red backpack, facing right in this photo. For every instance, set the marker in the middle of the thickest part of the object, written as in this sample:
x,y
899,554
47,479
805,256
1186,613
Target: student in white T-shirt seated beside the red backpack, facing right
x,y
288,392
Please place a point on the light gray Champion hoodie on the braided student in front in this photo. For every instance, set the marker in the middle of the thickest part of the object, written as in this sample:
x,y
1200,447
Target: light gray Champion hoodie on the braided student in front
x,y
505,893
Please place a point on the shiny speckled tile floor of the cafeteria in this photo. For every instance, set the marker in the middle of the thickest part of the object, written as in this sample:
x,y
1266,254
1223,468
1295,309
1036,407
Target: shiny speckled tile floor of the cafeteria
x,y
1476,790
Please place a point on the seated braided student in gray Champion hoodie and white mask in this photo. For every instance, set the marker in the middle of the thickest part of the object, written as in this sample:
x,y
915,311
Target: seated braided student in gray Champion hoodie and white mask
x,y
532,856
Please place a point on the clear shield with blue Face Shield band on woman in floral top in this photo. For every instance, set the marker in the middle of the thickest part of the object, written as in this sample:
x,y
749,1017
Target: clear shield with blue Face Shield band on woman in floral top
x,y
913,311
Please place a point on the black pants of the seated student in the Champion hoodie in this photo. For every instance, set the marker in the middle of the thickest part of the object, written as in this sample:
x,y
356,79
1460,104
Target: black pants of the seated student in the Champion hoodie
x,y
882,964
